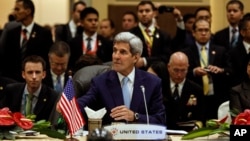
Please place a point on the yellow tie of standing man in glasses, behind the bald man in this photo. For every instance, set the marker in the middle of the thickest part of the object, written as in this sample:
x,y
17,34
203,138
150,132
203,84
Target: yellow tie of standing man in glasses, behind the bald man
x,y
204,63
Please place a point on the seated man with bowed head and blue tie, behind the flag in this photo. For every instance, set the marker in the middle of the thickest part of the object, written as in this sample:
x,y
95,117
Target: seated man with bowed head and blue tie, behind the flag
x,y
57,77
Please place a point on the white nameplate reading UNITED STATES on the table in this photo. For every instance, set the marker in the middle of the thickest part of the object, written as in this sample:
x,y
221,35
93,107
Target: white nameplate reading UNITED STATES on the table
x,y
137,132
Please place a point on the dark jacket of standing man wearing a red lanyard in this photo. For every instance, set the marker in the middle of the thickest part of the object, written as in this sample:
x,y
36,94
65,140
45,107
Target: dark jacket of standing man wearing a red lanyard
x,y
104,49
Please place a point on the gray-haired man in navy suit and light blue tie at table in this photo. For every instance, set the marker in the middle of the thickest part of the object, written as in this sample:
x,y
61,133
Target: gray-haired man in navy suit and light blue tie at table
x,y
124,101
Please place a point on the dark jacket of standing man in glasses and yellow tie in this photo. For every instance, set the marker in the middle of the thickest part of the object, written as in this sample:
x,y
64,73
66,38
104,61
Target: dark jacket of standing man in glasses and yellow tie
x,y
217,57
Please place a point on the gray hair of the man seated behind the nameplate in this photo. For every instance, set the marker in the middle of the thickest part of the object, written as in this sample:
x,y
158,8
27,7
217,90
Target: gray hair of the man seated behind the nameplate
x,y
134,42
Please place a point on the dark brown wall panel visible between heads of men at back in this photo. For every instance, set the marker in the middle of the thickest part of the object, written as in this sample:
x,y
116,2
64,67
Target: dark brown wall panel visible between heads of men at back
x,y
166,21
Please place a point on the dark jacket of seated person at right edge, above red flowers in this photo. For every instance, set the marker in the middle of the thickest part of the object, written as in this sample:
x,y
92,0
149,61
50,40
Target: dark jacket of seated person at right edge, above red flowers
x,y
240,96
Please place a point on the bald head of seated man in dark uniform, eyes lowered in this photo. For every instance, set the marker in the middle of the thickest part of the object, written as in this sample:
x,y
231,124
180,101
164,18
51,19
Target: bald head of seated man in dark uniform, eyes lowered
x,y
178,67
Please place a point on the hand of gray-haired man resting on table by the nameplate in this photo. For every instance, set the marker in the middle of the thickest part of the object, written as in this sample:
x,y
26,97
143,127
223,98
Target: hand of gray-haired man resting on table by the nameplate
x,y
122,113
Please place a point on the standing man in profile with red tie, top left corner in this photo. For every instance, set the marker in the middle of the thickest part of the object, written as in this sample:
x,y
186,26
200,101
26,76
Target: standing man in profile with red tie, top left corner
x,y
24,40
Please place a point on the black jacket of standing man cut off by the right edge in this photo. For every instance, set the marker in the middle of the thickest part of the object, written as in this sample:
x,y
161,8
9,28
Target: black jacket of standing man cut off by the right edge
x,y
238,60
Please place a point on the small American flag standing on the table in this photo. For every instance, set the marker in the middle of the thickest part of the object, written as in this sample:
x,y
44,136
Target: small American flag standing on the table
x,y
69,108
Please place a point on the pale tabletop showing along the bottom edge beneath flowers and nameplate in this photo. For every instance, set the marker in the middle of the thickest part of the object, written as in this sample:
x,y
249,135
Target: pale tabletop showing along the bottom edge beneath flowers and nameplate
x,y
214,137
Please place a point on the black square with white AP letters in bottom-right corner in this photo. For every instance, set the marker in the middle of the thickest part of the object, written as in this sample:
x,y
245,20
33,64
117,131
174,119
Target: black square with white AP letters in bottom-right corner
x,y
239,132
